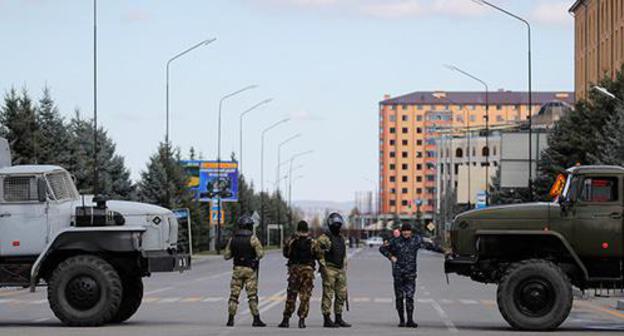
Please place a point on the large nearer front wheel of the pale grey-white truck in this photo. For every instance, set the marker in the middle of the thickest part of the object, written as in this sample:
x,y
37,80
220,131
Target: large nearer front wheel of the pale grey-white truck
x,y
85,290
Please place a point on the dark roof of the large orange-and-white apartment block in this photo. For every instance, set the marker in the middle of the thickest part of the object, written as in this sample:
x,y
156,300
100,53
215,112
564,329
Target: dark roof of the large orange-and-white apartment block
x,y
478,98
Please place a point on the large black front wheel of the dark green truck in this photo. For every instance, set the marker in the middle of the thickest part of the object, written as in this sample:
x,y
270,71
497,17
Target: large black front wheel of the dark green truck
x,y
534,295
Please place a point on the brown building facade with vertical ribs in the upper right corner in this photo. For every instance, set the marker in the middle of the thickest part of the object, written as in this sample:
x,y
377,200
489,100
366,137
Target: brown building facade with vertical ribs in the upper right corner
x,y
599,41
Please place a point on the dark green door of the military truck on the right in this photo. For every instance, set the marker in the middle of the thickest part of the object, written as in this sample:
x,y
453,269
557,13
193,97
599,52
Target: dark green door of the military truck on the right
x,y
598,215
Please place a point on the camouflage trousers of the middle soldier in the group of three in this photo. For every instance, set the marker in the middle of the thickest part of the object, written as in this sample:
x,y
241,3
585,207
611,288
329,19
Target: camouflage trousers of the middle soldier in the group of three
x,y
300,283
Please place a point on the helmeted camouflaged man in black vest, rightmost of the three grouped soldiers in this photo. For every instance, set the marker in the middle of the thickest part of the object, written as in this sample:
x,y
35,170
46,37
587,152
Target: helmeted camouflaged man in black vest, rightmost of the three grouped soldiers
x,y
333,272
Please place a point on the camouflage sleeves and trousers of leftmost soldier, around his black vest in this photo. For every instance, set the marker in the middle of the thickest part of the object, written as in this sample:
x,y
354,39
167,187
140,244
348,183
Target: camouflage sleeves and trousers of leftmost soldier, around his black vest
x,y
244,277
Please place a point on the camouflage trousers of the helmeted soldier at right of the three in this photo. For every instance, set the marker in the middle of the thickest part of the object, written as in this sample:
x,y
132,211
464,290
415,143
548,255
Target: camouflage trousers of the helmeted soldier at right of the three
x,y
334,283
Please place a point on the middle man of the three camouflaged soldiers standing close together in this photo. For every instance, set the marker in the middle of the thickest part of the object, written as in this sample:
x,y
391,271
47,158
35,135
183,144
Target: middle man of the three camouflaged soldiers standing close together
x,y
302,252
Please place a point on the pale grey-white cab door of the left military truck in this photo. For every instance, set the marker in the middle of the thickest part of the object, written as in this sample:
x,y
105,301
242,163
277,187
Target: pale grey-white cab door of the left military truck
x,y
23,218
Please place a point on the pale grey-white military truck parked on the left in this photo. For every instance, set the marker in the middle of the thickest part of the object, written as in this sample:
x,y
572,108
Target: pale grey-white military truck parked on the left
x,y
90,253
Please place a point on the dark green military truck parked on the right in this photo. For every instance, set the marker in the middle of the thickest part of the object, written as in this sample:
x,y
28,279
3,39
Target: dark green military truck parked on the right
x,y
536,252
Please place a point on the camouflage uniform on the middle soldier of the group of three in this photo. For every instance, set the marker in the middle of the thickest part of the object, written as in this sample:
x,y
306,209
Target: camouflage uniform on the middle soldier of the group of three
x,y
300,275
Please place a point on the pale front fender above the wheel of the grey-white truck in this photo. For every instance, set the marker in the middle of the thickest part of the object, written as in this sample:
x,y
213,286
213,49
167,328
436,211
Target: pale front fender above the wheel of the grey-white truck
x,y
89,239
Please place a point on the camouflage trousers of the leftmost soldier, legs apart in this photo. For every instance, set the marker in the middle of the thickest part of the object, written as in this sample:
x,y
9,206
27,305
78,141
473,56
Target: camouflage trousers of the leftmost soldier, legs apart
x,y
243,278
